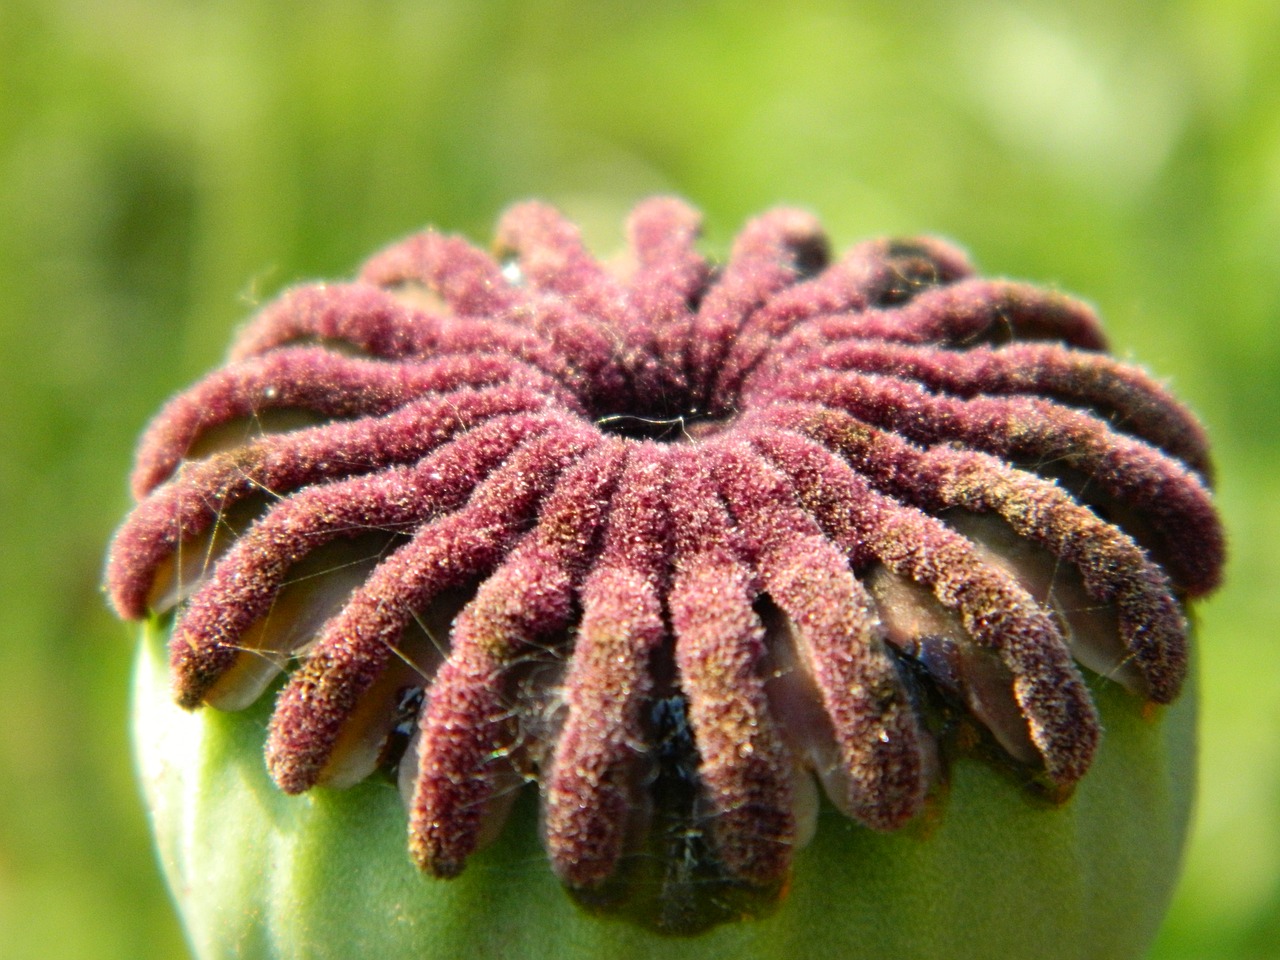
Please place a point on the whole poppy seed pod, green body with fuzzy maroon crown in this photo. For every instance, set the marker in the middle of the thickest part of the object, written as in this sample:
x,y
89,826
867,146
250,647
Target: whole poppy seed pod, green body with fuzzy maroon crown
x,y
824,606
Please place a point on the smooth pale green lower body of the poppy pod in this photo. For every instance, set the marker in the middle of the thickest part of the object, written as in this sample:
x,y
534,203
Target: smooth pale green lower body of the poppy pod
x,y
993,877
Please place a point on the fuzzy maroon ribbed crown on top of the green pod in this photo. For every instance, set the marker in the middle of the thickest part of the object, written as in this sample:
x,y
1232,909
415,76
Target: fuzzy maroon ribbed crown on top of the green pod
x,y
680,542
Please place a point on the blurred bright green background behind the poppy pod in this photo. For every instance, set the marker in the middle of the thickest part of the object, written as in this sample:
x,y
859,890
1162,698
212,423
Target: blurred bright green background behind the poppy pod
x,y
166,166
